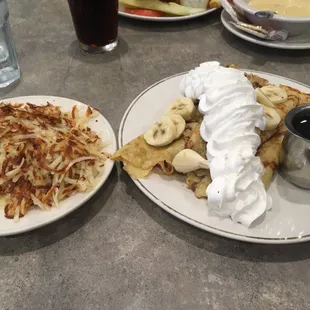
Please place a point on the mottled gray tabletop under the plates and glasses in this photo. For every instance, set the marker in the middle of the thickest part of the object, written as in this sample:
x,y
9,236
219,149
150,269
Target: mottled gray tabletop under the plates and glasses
x,y
121,251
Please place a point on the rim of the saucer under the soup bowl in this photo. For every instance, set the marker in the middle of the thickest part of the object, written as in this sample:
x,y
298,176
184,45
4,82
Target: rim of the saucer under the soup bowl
x,y
225,18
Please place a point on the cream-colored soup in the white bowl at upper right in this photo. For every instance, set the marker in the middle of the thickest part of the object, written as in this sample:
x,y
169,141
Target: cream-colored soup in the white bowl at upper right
x,y
283,7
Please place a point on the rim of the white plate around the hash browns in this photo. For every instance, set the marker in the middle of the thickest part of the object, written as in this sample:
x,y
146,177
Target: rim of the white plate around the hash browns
x,y
109,166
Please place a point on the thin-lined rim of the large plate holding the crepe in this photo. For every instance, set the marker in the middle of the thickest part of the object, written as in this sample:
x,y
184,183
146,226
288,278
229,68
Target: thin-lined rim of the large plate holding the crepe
x,y
169,209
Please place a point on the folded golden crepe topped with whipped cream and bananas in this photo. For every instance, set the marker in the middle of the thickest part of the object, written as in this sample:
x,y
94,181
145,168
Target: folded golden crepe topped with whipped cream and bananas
x,y
244,134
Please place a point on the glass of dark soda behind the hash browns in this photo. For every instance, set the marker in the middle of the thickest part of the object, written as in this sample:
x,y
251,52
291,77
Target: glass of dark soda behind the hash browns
x,y
96,24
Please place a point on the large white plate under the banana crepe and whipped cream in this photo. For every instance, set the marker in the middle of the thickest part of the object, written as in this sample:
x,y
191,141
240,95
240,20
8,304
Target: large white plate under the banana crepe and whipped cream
x,y
287,222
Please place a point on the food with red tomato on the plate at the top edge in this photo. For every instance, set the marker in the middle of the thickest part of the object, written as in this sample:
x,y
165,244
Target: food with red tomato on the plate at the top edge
x,y
157,8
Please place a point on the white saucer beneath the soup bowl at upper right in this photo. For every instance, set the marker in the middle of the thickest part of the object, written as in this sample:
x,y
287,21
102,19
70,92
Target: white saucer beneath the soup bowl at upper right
x,y
300,42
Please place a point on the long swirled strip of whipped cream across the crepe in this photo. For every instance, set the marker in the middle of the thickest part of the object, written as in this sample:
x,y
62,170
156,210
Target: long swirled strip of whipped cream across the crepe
x,y
231,119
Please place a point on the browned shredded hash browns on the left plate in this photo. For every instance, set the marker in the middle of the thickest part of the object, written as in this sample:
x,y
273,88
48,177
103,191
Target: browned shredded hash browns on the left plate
x,y
46,156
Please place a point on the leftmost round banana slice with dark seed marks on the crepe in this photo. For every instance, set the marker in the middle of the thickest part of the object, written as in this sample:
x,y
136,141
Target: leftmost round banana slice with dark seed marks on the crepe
x,y
161,133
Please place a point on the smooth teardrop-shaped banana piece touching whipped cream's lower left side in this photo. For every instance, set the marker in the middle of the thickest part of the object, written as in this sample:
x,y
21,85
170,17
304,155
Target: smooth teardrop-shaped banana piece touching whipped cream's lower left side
x,y
188,160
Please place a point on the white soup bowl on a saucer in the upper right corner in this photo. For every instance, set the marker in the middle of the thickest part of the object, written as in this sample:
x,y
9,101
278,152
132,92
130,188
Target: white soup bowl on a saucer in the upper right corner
x,y
294,25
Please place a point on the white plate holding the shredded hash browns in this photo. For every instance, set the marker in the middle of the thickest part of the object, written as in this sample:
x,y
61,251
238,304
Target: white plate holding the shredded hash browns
x,y
36,218
